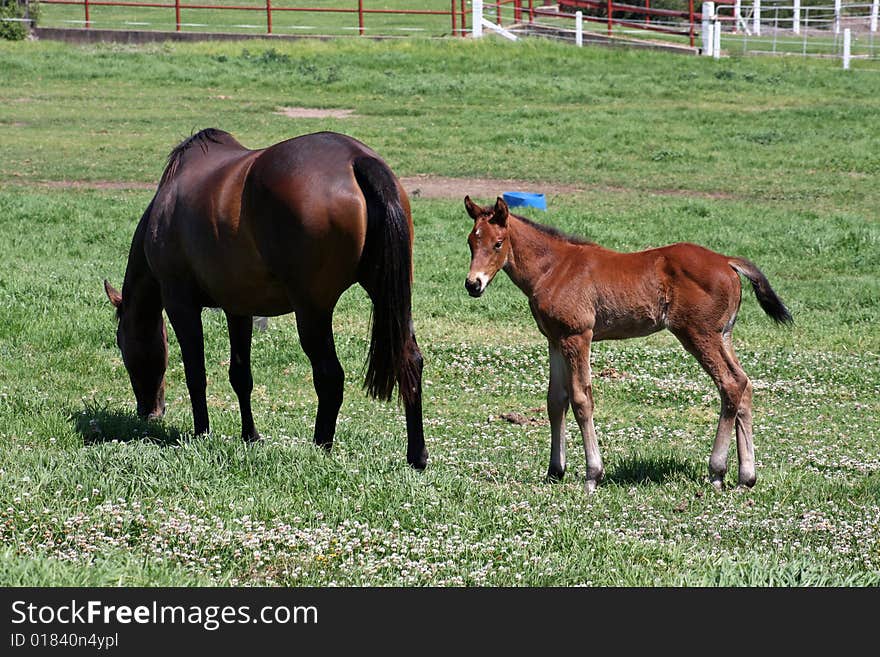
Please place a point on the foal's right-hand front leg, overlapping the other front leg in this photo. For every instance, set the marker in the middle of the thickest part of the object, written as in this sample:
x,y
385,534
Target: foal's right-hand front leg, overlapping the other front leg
x,y
576,353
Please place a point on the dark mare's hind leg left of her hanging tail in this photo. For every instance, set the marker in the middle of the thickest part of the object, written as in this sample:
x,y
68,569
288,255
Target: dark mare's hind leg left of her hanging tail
x,y
316,336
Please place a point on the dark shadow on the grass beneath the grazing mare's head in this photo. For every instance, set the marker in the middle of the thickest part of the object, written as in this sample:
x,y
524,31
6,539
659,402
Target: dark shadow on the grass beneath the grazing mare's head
x,y
102,425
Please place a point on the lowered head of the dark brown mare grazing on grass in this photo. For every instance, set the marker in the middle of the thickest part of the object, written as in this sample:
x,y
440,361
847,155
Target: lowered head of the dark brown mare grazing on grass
x,y
144,348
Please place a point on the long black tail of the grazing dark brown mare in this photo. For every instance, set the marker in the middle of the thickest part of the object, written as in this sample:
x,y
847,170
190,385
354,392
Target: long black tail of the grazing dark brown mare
x,y
385,271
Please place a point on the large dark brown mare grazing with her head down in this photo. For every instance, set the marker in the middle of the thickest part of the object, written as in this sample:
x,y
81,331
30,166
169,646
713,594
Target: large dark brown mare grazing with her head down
x,y
265,232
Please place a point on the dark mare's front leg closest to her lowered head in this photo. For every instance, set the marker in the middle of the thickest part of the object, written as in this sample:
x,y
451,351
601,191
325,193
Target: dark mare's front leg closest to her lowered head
x,y
187,323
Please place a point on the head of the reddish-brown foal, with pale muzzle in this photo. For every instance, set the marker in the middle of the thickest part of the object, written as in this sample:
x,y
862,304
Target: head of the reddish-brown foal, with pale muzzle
x,y
488,243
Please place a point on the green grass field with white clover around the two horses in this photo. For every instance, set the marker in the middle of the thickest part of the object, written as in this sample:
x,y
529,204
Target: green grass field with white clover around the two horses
x,y
774,160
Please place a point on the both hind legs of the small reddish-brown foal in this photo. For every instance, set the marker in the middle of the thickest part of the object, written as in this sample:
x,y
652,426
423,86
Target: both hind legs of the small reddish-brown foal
x,y
715,355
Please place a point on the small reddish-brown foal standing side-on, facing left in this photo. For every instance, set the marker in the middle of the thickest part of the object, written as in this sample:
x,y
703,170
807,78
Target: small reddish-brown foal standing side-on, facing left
x,y
580,292
